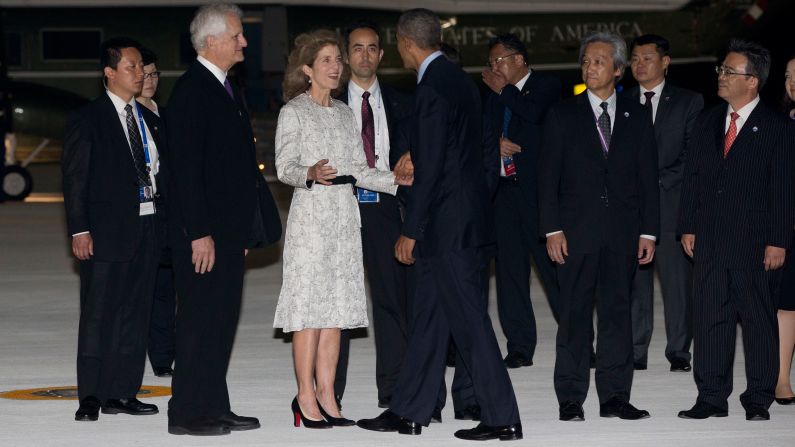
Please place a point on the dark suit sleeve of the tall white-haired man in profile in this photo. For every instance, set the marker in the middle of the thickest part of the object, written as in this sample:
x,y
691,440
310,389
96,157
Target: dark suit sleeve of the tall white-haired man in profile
x,y
186,129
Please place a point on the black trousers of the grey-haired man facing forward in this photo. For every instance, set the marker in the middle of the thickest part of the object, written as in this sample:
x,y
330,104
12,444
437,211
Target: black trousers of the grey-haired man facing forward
x,y
583,277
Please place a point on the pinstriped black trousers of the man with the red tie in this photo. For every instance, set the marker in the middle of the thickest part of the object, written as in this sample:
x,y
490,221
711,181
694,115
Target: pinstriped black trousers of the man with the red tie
x,y
721,297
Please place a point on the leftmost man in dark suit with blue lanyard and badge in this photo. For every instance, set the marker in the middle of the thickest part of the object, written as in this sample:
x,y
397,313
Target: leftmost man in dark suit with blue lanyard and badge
x,y
111,175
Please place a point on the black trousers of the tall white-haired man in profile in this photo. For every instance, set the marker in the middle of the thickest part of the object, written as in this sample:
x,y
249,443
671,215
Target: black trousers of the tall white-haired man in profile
x,y
209,310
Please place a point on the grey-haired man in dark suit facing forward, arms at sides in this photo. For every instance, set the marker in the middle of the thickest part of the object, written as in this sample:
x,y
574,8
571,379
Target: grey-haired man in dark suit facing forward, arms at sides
x,y
599,206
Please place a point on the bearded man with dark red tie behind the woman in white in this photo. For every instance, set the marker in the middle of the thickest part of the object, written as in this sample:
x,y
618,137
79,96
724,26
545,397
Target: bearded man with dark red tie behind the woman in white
x,y
377,118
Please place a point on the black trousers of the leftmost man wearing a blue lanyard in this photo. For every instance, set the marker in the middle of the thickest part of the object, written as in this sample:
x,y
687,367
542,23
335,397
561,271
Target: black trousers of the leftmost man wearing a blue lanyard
x,y
115,302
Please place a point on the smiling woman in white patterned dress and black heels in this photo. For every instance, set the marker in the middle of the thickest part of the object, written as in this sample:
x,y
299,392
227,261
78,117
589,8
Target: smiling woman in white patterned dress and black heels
x,y
317,148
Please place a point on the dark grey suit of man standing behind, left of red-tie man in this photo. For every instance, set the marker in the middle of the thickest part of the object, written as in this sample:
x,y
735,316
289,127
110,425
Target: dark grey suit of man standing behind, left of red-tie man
x,y
676,114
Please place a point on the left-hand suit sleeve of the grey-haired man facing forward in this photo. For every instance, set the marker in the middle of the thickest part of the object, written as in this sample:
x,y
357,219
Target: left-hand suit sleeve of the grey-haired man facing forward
x,y
550,166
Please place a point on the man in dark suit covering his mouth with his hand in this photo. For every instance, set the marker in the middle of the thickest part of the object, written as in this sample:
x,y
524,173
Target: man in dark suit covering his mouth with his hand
x,y
516,104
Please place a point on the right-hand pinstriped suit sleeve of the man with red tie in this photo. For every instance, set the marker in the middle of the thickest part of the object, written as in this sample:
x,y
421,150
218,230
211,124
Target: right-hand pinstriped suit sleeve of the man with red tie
x,y
781,189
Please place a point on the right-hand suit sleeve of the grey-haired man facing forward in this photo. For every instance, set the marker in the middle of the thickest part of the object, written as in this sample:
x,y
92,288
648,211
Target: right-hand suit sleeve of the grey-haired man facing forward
x,y
649,182
